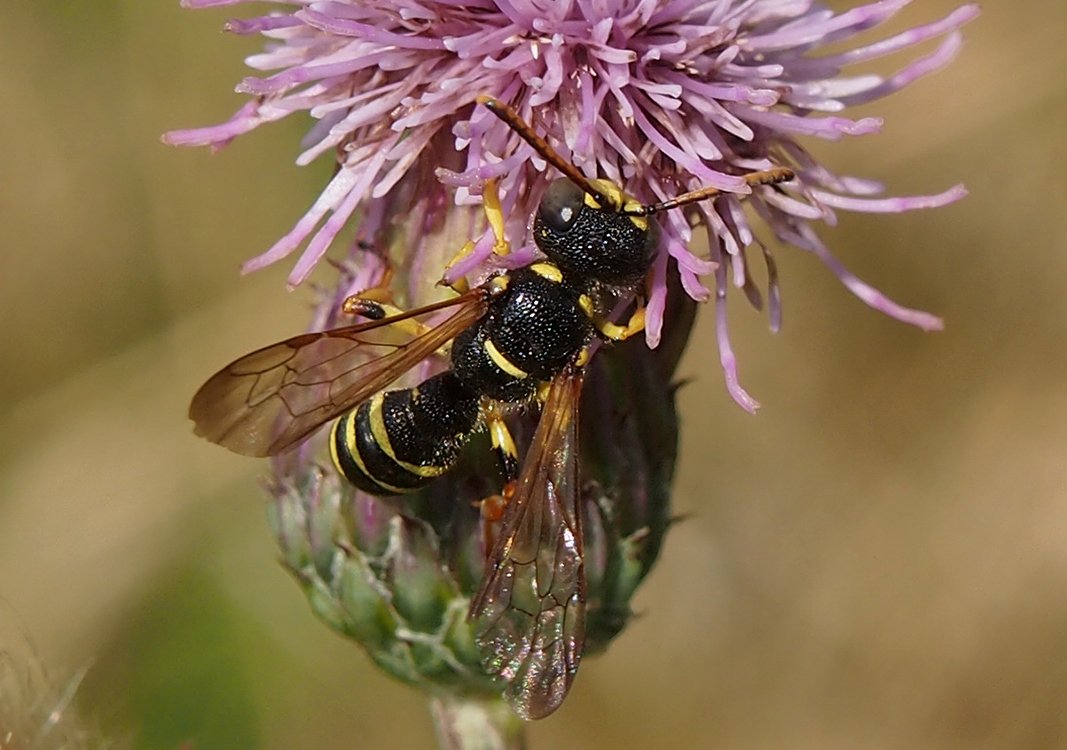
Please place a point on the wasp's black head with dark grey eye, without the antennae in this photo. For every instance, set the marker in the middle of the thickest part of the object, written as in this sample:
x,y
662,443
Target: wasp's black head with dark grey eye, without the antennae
x,y
594,243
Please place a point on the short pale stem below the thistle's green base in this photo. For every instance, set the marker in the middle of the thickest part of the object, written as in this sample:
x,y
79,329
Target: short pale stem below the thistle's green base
x,y
476,724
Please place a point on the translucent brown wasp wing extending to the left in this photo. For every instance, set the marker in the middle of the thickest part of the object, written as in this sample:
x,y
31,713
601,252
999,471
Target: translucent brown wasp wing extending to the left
x,y
272,400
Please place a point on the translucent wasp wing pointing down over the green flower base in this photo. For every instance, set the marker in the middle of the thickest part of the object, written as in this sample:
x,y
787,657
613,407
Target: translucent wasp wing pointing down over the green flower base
x,y
531,608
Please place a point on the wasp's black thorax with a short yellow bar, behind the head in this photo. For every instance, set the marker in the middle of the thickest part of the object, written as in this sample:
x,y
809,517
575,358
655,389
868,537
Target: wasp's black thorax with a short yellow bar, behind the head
x,y
529,337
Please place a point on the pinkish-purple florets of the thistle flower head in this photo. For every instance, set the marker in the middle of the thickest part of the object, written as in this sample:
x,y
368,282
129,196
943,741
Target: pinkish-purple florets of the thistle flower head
x,y
662,97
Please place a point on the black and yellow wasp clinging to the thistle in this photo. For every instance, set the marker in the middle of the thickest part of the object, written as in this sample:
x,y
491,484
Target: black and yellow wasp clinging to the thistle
x,y
522,337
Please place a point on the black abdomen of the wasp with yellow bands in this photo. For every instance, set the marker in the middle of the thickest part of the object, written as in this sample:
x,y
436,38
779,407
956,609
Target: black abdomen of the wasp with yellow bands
x,y
401,441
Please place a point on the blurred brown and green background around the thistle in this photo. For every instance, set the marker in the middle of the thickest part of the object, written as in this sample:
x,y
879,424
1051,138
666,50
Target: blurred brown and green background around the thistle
x,y
878,561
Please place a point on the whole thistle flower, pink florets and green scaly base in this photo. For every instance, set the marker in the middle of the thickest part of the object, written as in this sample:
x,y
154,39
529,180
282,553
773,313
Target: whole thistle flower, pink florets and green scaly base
x,y
660,97
